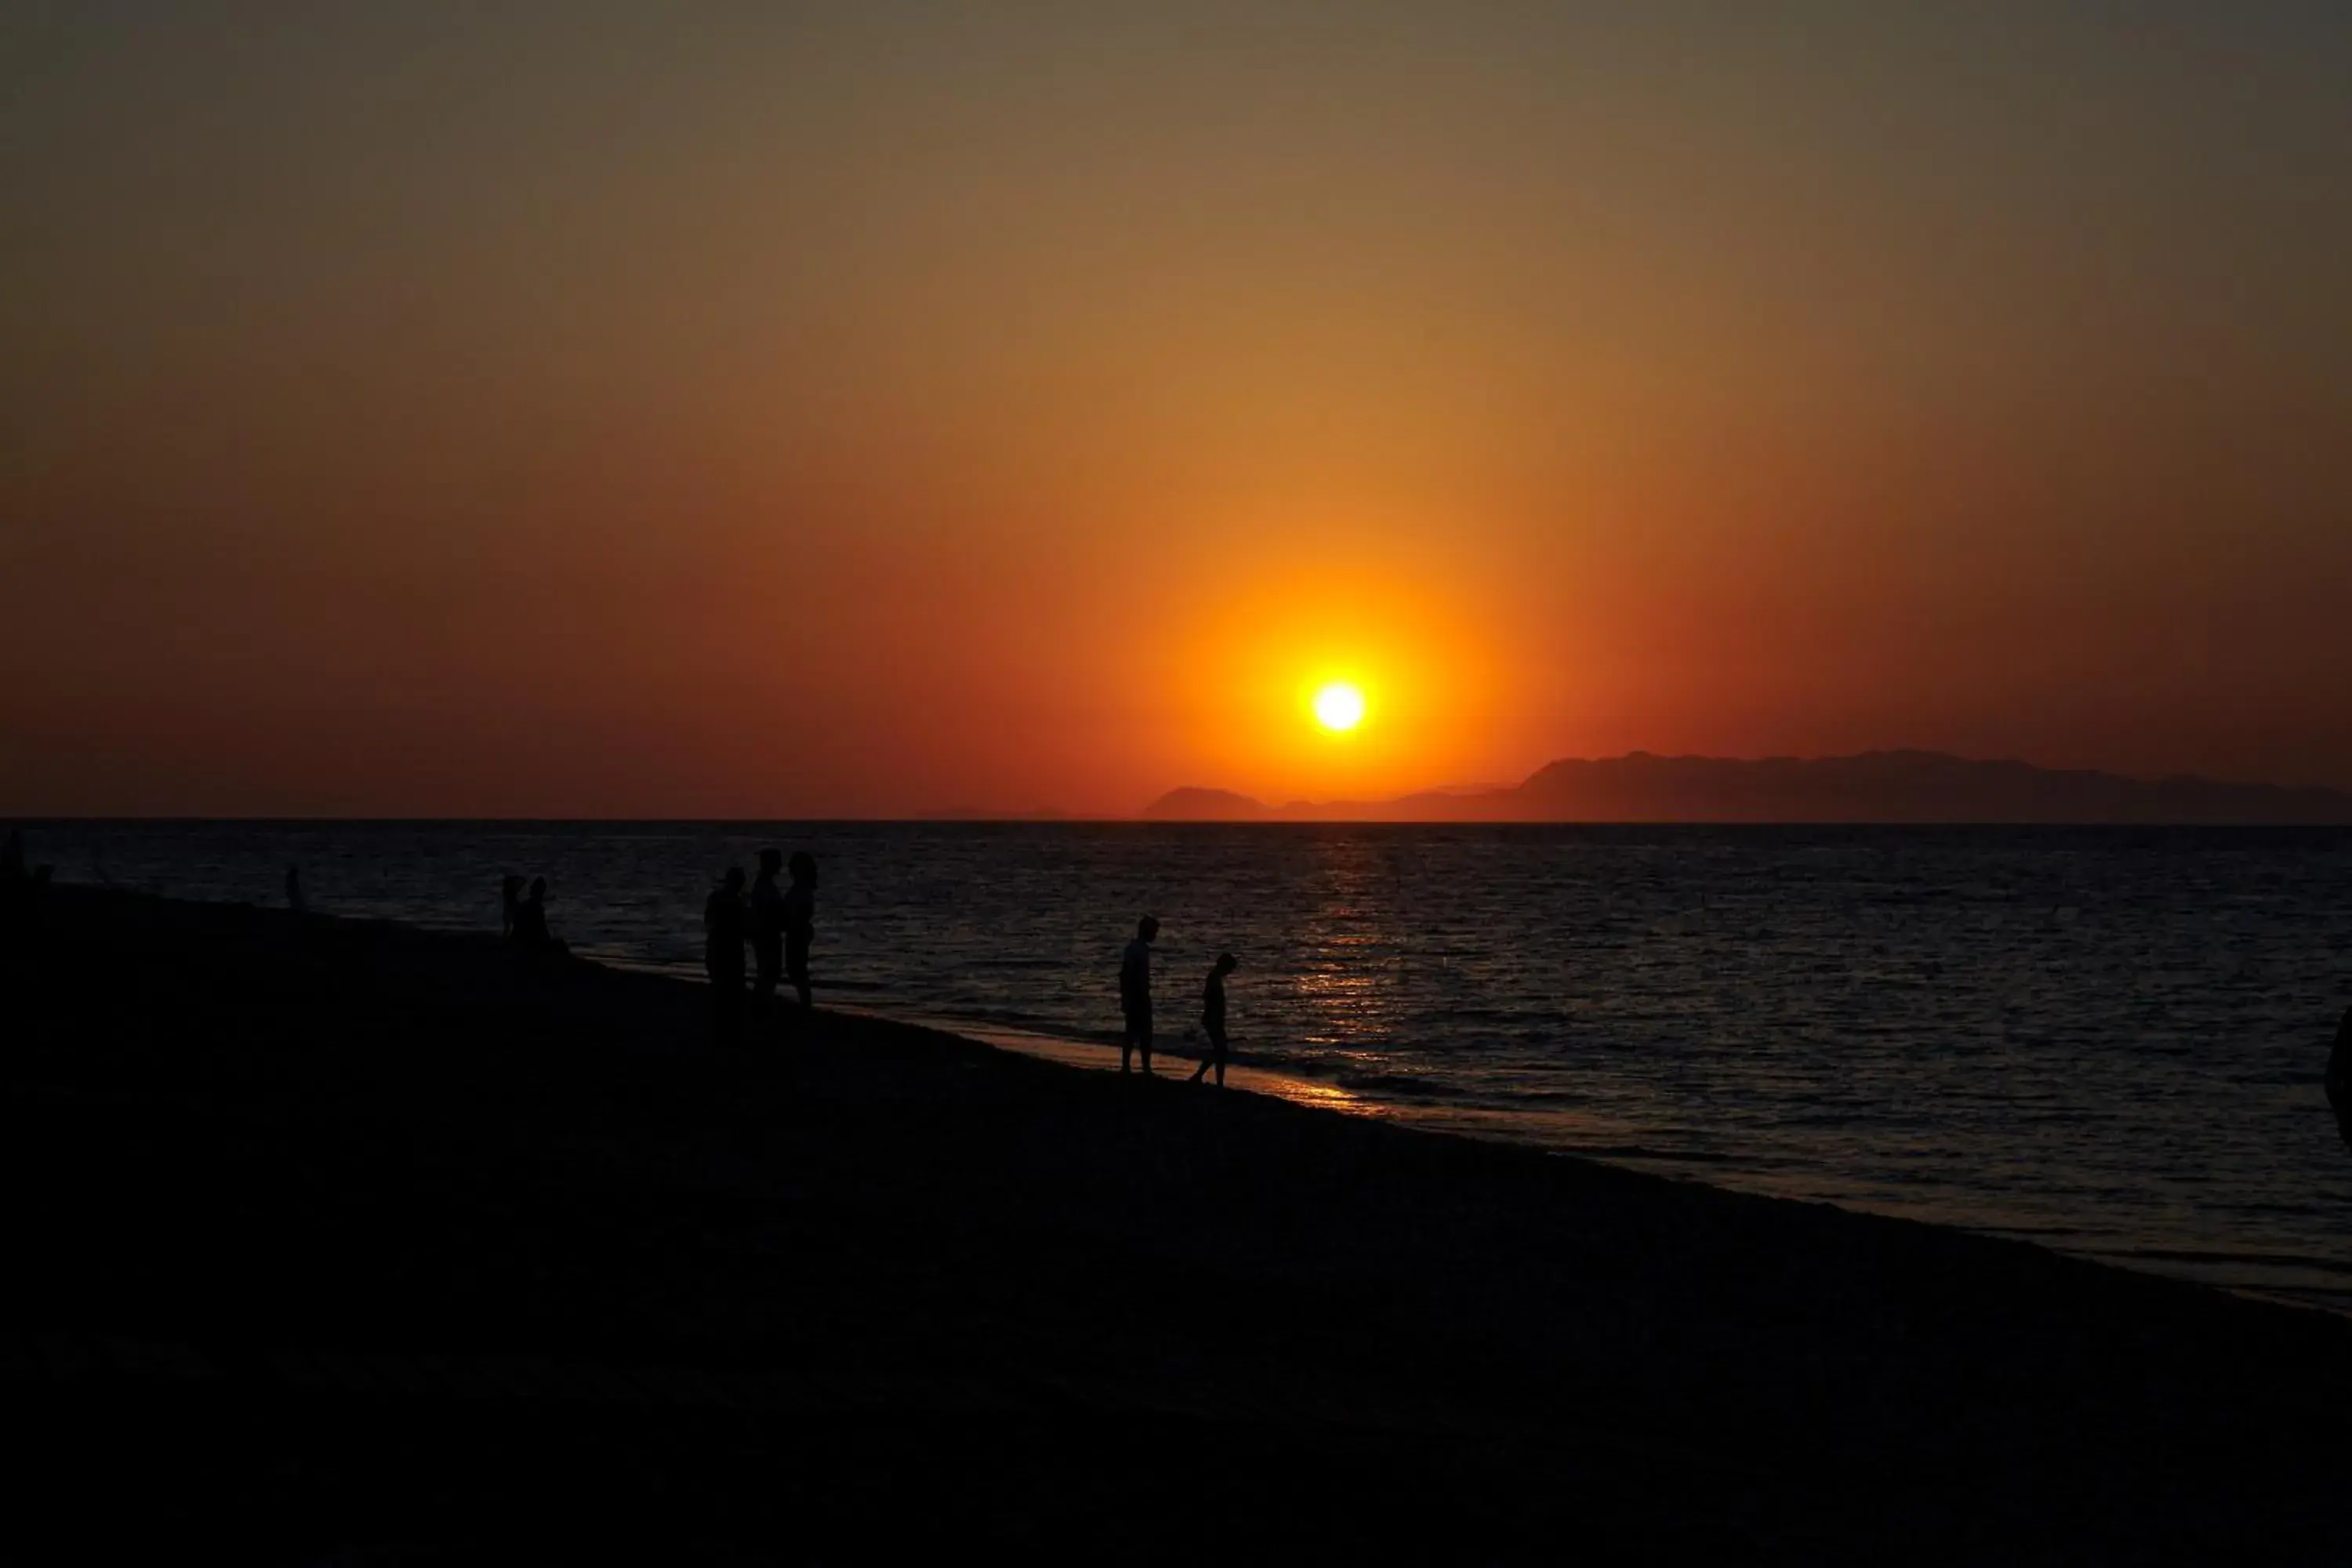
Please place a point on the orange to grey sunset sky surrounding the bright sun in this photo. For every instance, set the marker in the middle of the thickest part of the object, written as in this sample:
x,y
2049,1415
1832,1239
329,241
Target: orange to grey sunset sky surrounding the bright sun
x,y
622,410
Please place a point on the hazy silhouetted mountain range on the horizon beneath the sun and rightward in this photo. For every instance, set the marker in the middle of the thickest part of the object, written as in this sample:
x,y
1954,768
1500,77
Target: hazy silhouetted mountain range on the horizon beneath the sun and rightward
x,y
1864,789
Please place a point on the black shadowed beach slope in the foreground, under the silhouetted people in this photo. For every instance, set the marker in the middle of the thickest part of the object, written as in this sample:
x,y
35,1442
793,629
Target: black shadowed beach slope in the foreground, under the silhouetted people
x,y
330,1240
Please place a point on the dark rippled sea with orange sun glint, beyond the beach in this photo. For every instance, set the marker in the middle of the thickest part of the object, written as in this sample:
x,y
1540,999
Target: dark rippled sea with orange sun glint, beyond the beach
x,y
2104,1040
